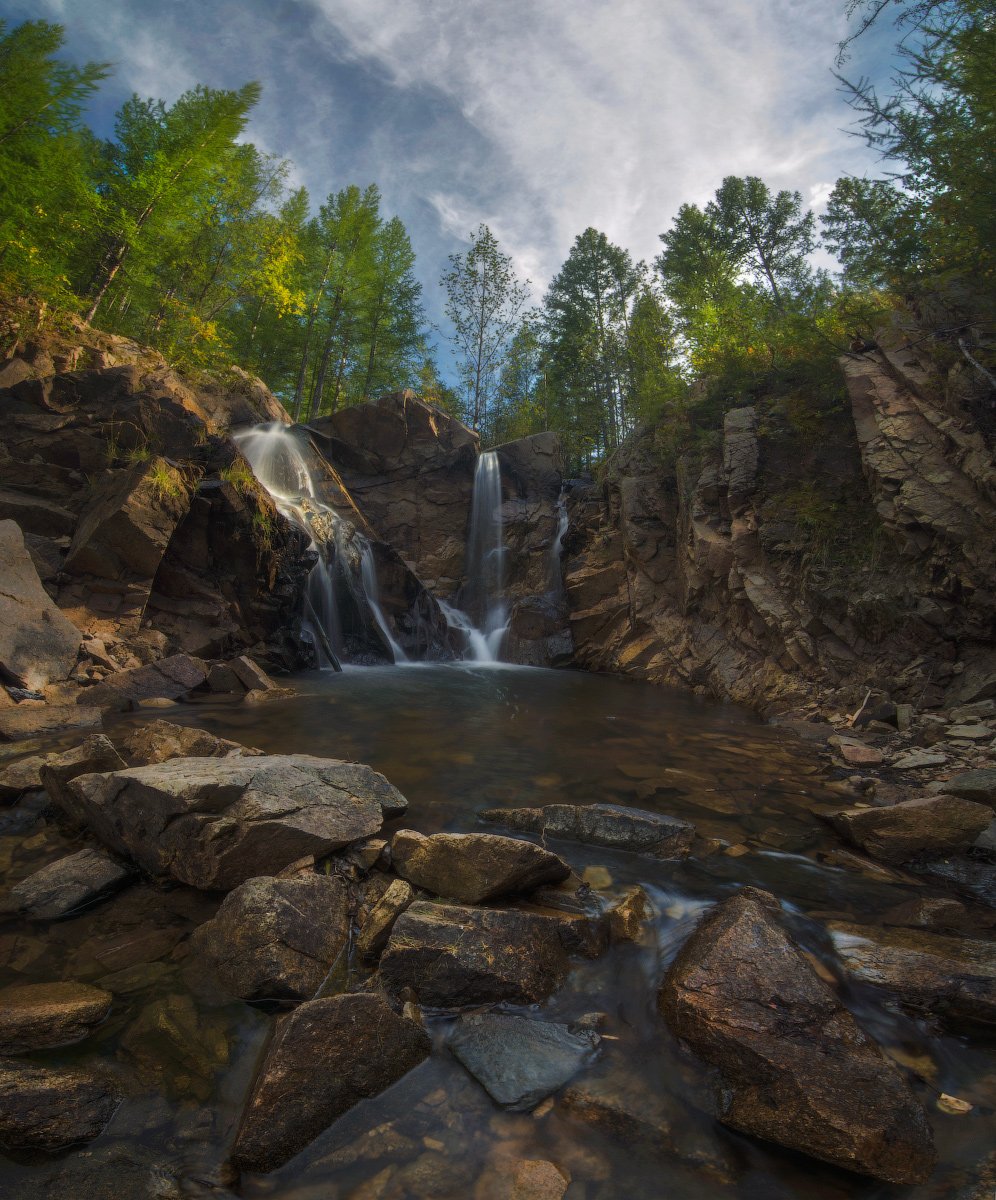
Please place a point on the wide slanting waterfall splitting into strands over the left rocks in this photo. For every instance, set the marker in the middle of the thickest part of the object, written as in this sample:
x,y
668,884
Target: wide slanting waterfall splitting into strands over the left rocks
x,y
278,460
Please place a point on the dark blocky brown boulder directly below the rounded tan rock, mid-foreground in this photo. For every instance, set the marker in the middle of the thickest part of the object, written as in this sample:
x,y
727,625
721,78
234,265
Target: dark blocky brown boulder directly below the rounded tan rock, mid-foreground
x,y
453,957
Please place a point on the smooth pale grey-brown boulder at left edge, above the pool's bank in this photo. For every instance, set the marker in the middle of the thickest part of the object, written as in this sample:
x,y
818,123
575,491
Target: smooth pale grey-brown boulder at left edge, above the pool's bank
x,y
39,645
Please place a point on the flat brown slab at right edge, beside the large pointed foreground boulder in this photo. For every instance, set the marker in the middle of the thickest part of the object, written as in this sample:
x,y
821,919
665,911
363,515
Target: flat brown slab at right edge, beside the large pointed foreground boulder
x,y
953,979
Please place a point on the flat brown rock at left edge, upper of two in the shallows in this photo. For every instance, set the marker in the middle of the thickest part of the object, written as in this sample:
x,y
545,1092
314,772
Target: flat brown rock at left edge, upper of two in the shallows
x,y
40,1016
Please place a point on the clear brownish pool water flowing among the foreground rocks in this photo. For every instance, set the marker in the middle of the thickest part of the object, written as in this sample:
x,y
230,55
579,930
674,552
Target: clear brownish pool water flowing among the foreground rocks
x,y
455,741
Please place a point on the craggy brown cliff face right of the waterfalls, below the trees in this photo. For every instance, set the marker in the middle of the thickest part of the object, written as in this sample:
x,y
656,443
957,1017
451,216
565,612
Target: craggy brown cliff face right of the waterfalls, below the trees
x,y
807,557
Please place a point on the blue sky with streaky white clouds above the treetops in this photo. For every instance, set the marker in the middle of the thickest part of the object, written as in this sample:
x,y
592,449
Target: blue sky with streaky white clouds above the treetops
x,y
538,118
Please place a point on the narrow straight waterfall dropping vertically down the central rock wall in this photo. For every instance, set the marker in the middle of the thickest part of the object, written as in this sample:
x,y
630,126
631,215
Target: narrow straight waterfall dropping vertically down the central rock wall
x,y
484,619
